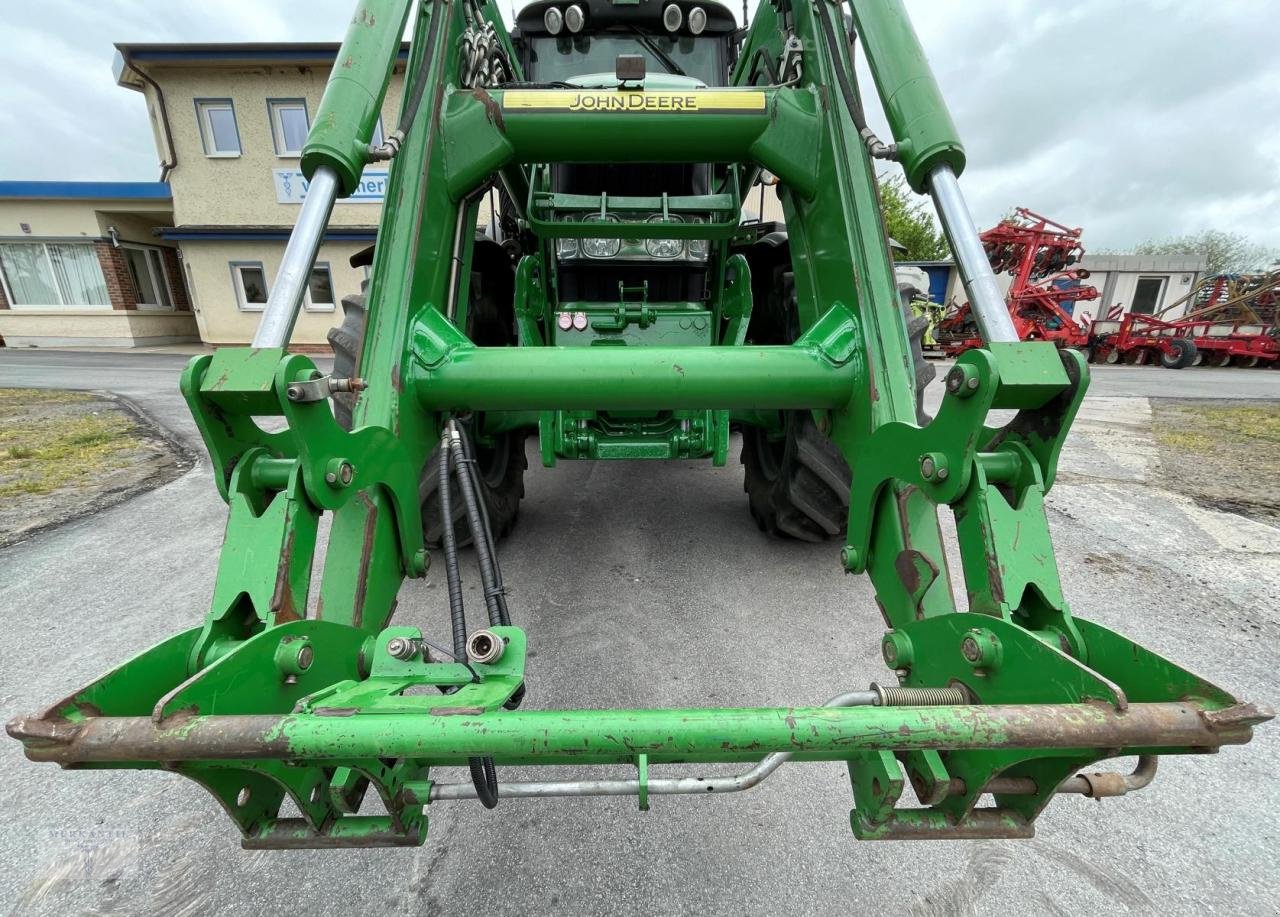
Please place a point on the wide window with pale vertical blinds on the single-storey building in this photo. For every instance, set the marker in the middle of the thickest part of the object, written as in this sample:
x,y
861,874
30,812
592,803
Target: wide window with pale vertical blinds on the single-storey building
x,y
39,276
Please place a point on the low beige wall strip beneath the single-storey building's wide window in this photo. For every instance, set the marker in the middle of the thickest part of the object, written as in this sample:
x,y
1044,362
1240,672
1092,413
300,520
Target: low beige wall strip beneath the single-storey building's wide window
x,y
90,329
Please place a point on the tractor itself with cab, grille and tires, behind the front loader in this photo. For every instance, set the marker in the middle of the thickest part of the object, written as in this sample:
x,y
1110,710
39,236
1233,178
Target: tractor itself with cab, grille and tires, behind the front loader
x,y
639,289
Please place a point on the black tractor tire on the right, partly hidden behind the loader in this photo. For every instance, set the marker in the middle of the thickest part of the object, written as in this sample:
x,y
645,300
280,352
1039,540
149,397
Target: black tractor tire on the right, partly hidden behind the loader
x,y
798,487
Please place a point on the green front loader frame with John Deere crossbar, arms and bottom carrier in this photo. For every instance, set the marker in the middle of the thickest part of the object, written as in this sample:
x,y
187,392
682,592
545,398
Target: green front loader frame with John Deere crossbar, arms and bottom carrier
x,y
267,702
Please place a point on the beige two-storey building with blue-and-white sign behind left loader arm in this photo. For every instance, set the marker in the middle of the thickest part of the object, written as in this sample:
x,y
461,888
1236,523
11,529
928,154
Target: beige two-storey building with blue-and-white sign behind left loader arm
x,y
230,122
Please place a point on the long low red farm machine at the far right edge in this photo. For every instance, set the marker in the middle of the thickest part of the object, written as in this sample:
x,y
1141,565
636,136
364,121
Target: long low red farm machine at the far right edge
x,y
1231,322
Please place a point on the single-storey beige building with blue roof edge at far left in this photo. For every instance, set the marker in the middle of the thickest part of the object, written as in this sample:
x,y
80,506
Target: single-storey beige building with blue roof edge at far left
x,y
81,264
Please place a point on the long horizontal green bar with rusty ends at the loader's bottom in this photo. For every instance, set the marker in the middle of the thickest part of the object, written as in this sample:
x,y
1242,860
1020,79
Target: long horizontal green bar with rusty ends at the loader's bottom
x,y
618,737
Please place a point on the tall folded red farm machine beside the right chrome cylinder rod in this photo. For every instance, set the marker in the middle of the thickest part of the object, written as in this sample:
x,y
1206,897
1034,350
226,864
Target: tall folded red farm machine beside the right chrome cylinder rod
x,y
1040,254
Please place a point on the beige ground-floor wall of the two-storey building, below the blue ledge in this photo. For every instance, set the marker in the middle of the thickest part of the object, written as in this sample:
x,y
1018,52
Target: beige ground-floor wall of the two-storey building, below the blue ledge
x,y
222,322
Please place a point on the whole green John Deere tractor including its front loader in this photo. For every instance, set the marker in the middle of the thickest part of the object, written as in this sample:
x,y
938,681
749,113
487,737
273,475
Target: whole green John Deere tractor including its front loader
x,y
618,305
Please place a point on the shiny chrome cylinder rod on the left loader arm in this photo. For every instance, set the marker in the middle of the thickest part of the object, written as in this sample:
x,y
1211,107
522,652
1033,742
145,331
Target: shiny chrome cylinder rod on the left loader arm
x,y
300,258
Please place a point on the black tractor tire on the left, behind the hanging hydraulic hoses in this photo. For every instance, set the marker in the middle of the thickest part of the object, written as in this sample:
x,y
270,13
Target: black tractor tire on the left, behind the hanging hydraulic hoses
x,y
502,467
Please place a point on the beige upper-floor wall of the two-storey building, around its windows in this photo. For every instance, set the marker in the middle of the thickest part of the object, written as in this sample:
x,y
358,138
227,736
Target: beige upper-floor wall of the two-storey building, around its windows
x,y
241,191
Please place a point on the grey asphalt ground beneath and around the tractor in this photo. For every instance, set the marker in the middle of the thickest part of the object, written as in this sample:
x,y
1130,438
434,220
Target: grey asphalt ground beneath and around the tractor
x,y
647,585
